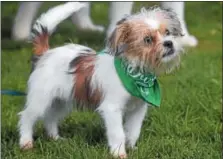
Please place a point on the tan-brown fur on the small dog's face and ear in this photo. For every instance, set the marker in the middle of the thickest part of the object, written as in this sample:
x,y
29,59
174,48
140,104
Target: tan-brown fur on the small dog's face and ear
x,y
133,33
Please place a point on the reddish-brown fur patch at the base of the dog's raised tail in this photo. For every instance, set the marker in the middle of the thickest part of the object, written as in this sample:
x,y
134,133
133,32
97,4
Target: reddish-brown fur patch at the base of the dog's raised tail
x,y
40,44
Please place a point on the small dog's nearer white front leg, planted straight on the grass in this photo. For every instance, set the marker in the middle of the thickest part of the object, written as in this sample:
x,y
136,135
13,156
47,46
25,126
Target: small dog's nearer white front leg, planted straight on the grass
x,y
112,116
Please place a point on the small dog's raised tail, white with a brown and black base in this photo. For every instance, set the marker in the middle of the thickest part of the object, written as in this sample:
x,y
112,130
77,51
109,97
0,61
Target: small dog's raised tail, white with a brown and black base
x,y
46,24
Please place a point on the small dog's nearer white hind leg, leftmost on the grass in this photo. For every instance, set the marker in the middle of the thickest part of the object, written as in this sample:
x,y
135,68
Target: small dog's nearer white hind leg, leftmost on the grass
x,y
37,105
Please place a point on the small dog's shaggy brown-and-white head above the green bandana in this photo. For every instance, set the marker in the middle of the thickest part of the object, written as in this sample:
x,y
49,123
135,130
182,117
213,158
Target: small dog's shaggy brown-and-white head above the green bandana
x,y
149,40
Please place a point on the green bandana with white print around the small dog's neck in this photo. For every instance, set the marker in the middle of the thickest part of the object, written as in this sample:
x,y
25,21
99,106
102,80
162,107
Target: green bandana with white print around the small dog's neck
x,y
143,86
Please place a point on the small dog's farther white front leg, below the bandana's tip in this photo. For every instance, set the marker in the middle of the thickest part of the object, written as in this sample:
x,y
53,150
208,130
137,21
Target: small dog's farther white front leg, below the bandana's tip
x,y
133,124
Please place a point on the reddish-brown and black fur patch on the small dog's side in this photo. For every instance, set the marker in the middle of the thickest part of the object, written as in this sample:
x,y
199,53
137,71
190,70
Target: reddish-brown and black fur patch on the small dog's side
x,y
83,92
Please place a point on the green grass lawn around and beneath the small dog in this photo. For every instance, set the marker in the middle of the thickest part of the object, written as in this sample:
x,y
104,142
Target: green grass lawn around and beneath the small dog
x,y
186,126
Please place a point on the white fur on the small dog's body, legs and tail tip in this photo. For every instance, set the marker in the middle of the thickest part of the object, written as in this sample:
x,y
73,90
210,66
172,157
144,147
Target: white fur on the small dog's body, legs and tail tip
x,y
50,92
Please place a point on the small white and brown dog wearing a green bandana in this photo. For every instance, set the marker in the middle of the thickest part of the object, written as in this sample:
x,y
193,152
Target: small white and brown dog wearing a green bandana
x,y
148,41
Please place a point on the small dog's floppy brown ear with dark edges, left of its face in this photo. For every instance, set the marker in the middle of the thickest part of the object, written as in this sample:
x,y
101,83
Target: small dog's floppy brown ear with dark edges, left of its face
x,y
116,42
